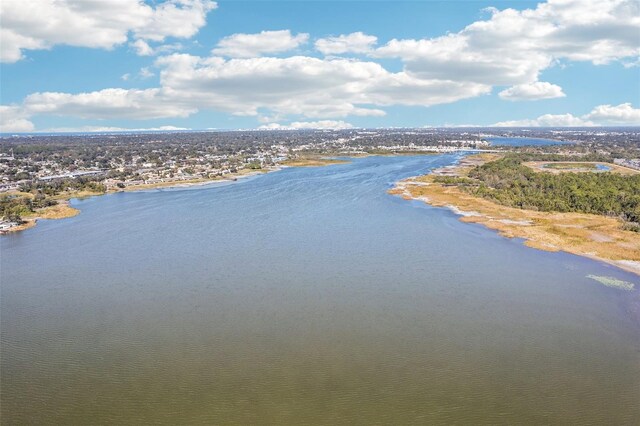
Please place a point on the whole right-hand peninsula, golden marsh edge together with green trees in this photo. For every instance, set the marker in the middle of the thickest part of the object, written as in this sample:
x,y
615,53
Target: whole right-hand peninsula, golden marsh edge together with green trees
x,y
471,189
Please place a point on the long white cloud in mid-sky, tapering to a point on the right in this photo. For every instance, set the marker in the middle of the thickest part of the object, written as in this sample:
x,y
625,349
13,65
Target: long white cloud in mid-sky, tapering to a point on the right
x,y
315,88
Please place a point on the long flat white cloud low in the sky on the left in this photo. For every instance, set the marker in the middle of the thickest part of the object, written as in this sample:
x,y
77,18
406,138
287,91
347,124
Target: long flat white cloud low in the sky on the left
x,y
107,103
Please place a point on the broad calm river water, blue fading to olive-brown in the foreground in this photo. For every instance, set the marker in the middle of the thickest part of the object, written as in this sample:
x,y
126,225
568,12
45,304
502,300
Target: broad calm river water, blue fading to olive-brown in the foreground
x,y
306,296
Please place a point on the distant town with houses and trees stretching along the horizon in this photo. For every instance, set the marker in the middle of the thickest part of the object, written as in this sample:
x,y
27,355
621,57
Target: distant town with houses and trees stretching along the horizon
x,y
38,171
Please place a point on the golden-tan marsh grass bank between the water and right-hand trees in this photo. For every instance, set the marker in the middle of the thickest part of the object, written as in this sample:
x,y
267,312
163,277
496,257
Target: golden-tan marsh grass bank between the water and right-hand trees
x,y
597,237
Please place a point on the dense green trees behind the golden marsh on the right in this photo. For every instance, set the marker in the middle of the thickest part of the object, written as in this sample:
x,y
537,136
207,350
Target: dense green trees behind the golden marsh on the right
x,y
508,182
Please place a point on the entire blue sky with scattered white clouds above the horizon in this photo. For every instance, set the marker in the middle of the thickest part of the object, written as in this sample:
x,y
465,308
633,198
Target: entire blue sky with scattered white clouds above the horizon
x,y
93,65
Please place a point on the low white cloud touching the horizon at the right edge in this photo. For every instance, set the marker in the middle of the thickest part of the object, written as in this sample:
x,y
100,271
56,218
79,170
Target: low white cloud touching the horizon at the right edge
x,y
623,114
